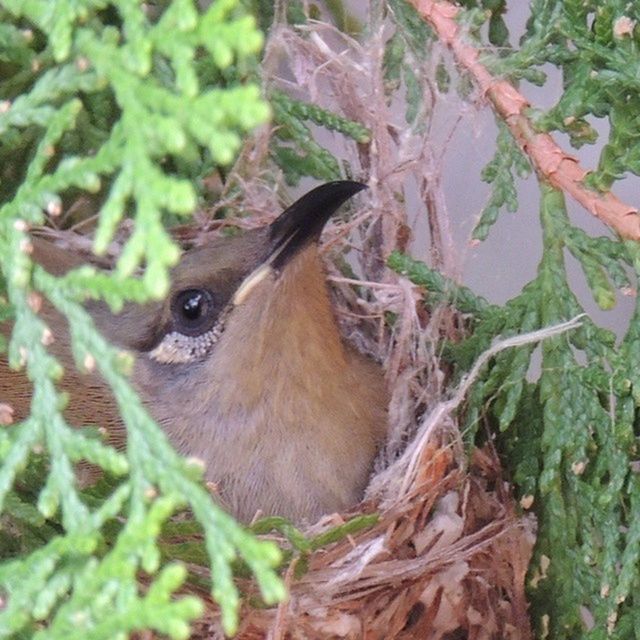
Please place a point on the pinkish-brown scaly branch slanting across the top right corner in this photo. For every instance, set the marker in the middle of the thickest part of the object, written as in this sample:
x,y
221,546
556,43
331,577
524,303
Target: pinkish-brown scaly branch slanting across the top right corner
x,y
561,169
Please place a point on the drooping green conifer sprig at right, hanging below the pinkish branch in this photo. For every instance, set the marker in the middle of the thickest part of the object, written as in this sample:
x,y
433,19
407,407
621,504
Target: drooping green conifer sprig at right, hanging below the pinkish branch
x,y
569,436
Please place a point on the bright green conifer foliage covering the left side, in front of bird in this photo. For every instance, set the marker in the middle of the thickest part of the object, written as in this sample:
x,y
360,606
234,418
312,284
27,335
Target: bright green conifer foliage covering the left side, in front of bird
x,y
100,69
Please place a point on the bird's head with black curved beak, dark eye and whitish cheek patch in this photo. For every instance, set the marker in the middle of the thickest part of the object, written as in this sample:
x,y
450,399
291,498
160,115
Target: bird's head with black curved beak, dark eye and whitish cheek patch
x,y
230,280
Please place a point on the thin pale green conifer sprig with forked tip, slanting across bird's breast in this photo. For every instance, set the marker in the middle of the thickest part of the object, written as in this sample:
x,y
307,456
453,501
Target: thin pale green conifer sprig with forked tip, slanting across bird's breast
x,y
154,463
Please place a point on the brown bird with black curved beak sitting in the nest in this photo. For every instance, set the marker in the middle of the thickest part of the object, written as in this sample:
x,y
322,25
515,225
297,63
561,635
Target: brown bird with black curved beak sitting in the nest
x,y
243,366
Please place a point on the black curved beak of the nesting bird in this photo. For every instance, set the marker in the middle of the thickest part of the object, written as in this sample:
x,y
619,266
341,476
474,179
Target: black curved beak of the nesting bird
x,y
304,220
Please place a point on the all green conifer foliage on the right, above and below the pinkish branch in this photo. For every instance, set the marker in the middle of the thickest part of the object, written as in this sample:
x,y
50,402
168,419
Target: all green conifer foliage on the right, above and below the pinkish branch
x,y
568,436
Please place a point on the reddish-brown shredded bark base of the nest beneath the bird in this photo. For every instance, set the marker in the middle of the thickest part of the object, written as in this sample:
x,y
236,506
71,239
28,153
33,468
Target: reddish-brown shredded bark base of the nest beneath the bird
x,y
447,559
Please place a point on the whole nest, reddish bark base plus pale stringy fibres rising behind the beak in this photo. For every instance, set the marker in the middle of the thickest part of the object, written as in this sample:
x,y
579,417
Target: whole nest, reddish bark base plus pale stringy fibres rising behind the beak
x,y
449,553
